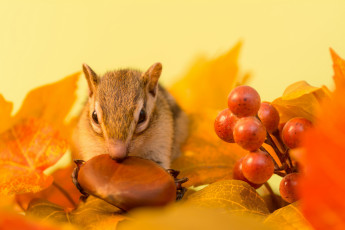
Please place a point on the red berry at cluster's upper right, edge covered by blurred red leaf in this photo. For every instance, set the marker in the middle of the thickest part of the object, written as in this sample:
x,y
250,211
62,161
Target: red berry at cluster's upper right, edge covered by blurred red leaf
x,y
293,130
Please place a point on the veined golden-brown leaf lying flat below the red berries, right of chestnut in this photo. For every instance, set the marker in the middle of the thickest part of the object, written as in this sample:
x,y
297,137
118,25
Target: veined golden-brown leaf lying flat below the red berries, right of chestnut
x,y
234,196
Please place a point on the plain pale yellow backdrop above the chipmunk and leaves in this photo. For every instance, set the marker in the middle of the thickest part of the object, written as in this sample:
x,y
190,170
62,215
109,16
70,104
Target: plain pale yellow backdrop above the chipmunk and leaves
x,y
42,41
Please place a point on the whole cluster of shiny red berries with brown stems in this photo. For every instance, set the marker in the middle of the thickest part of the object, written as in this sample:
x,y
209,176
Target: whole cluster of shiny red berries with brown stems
x,y
250,123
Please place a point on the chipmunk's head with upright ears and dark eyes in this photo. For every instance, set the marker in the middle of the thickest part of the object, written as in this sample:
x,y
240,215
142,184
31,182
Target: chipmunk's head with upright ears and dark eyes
x,y
120,105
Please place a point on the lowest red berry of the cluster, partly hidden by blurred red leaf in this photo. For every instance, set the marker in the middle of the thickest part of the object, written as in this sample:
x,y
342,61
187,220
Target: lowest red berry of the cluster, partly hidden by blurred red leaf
x,y
288,187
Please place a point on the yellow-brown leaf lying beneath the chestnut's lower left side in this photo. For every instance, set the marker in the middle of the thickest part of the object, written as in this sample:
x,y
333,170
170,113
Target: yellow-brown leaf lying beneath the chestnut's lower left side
x,y
92,214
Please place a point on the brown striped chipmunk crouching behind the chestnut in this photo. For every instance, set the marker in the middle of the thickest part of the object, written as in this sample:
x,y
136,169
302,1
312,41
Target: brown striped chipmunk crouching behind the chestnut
x,y
129,113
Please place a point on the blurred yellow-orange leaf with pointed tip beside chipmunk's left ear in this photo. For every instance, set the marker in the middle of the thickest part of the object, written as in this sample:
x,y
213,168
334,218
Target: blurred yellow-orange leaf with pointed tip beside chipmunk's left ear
x,y
50,103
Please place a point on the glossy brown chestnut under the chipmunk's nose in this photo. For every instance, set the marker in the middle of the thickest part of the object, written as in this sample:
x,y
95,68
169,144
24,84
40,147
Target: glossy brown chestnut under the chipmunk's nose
x,y
135,182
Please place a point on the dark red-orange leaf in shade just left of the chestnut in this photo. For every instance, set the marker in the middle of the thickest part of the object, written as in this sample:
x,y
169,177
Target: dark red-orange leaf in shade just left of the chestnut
x,y
55,192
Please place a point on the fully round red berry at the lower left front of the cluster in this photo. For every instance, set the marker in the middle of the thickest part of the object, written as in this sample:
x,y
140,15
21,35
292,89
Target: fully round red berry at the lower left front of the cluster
x,y
257,167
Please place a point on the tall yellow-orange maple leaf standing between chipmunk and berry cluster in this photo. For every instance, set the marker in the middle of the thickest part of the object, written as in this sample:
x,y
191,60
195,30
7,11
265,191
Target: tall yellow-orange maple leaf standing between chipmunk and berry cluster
x,y
202,93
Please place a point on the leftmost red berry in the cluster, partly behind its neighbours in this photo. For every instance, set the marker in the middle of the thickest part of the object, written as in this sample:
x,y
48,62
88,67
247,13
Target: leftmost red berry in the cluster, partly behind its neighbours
x,y
224,125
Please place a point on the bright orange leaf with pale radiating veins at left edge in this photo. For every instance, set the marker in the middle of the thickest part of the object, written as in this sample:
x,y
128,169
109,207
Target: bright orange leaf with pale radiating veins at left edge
x,y
25,151
